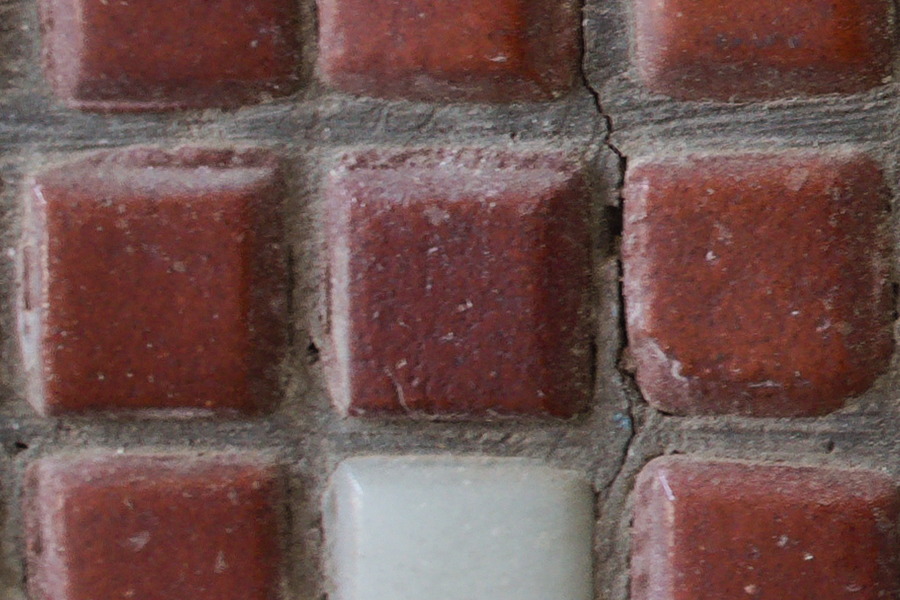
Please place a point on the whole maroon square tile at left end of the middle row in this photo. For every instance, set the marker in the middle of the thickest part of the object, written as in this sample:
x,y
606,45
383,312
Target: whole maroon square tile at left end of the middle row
x,y
154,280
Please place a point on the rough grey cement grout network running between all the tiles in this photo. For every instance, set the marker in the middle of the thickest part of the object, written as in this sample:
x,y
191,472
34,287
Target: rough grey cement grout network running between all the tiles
x,y
306,435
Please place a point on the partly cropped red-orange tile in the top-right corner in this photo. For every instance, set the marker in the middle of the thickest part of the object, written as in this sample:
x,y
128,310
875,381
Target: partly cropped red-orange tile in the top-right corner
x,y
765,49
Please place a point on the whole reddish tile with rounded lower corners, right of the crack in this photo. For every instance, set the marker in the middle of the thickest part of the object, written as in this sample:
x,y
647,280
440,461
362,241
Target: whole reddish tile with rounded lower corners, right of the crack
x,y
757,285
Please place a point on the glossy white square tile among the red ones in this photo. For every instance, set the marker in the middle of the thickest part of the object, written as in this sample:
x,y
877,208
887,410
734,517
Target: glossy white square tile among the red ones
x,y
443,528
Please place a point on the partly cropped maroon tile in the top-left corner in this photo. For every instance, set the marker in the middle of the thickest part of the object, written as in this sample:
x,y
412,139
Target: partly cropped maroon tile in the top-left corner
x,y
122,55
